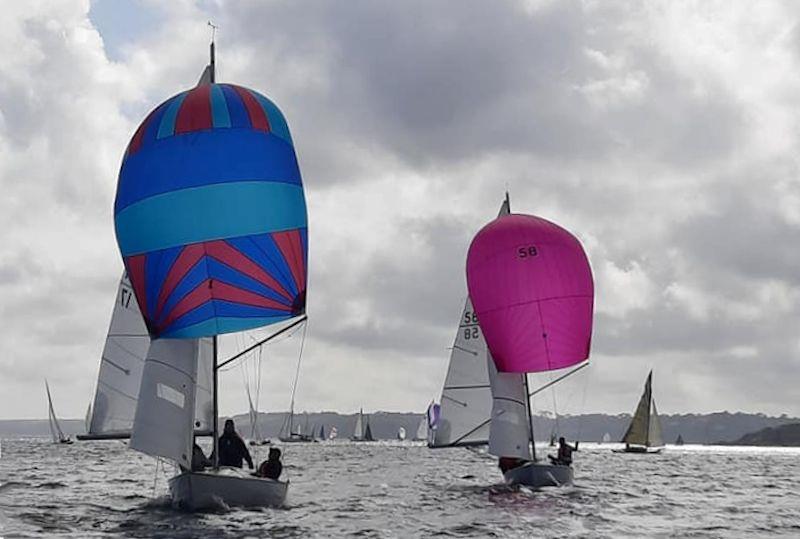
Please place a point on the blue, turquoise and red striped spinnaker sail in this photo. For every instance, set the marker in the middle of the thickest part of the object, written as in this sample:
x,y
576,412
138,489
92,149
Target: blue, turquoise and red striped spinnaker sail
x,y
210,215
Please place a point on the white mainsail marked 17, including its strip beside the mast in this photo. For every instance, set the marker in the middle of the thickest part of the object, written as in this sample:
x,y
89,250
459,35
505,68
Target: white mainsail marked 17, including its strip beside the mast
x,y
121,368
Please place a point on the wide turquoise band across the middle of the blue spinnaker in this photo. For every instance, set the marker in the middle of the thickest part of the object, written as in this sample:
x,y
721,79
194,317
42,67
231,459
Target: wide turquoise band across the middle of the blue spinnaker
x,y
205,213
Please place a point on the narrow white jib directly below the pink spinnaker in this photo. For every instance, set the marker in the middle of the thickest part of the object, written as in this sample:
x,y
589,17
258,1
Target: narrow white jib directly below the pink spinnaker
x,y
510,431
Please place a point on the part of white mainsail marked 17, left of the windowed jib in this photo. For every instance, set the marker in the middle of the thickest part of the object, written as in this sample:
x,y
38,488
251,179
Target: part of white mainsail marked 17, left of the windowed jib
x,y
120,367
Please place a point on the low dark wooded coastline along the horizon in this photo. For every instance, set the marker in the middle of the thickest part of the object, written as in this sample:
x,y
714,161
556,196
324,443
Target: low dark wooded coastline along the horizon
x,y
720,427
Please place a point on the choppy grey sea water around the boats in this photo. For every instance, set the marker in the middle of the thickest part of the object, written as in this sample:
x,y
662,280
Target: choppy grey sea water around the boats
x,y
102,489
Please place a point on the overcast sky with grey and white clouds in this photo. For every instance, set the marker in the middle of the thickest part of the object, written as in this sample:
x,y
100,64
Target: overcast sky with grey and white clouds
x,y
663,134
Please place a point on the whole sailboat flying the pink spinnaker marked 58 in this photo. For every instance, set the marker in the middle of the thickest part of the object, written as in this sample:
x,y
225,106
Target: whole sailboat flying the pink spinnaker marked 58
x,y
503,334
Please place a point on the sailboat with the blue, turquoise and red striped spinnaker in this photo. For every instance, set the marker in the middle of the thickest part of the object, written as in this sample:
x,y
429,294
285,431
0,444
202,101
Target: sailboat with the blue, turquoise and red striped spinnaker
x,y
210,219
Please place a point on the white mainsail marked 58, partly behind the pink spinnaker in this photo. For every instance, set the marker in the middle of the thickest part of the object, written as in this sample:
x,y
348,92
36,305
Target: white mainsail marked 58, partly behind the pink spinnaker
x,y
466,403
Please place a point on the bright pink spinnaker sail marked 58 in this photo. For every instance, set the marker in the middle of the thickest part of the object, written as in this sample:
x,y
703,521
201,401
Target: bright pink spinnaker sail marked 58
x,y
532,289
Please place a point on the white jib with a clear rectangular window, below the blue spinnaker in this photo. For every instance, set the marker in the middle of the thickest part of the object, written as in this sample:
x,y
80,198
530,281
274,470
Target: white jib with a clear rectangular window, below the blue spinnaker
x,y
163,424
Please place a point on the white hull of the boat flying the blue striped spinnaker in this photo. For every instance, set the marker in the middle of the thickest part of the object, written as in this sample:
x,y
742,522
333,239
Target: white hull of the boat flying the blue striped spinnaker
x,y
232,486
